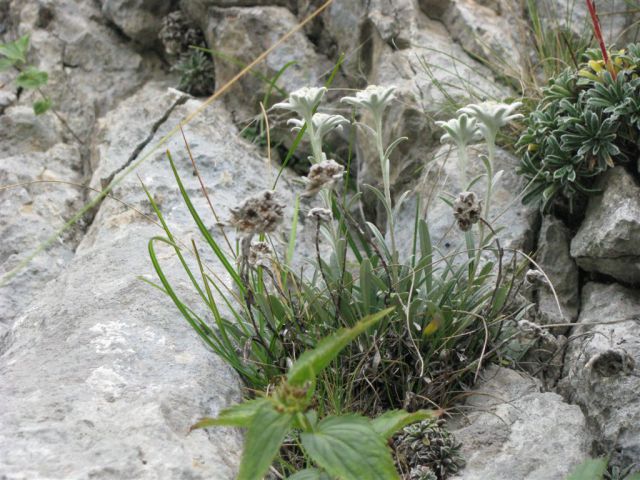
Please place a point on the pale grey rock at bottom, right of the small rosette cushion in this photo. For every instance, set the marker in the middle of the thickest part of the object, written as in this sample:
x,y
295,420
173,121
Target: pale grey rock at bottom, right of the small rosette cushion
x,y
513,431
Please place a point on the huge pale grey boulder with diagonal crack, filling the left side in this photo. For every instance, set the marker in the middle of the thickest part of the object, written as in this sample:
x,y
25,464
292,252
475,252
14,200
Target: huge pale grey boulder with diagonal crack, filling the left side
x,y
100,376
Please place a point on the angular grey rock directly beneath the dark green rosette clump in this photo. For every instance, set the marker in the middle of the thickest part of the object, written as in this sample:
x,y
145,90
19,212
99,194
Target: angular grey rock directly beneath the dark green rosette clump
x,y
607,241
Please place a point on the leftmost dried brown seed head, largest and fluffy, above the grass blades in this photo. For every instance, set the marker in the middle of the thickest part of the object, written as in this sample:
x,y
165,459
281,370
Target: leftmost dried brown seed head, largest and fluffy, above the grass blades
x,y
261,213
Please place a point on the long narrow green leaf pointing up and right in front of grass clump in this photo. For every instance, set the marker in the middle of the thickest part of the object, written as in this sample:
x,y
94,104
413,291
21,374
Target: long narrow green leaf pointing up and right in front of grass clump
x,y
312,362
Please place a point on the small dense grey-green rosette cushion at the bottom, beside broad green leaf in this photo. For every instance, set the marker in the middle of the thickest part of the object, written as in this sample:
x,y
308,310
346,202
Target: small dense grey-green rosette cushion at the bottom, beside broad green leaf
x,y
428,447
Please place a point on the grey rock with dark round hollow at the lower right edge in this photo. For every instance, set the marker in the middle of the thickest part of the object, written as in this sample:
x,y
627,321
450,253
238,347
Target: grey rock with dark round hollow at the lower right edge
x,y
600,375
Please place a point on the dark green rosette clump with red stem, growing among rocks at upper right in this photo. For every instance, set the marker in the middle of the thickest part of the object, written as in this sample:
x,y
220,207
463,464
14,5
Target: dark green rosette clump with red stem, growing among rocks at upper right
x,y
587,121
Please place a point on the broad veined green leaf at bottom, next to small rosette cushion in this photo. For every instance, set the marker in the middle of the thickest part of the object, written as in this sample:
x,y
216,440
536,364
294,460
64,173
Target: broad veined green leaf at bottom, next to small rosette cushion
x,y
349,448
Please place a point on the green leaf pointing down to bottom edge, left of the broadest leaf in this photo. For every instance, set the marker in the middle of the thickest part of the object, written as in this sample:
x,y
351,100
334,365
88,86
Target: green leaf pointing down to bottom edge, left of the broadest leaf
x,y
262,442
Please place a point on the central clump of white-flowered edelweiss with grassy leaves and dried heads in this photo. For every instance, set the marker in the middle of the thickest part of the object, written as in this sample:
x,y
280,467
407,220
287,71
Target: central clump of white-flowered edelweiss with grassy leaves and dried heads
x,y
443,314
